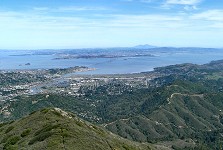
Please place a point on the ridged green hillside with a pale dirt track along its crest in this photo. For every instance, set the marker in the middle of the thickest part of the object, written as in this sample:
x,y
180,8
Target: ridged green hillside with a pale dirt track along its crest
x,y
187,113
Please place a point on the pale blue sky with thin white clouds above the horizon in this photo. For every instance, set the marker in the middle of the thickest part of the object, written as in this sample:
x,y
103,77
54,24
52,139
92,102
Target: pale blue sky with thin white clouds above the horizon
x,y
52,24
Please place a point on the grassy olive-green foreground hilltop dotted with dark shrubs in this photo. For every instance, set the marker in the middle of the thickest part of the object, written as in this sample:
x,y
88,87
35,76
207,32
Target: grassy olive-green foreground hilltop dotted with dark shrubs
x,y
55,129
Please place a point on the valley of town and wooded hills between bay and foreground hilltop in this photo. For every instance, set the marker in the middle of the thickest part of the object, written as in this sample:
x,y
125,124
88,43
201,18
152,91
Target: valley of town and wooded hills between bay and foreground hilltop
x,y
170,105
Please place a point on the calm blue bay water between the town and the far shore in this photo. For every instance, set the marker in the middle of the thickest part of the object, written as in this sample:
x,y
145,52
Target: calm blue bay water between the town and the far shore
x,y
17,60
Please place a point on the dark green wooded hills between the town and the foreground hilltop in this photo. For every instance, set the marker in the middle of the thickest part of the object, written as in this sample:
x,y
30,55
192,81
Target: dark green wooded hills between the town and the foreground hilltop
x,y
182,108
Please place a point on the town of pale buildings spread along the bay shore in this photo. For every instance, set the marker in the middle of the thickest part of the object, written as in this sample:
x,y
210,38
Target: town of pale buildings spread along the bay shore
x,y
65,82
